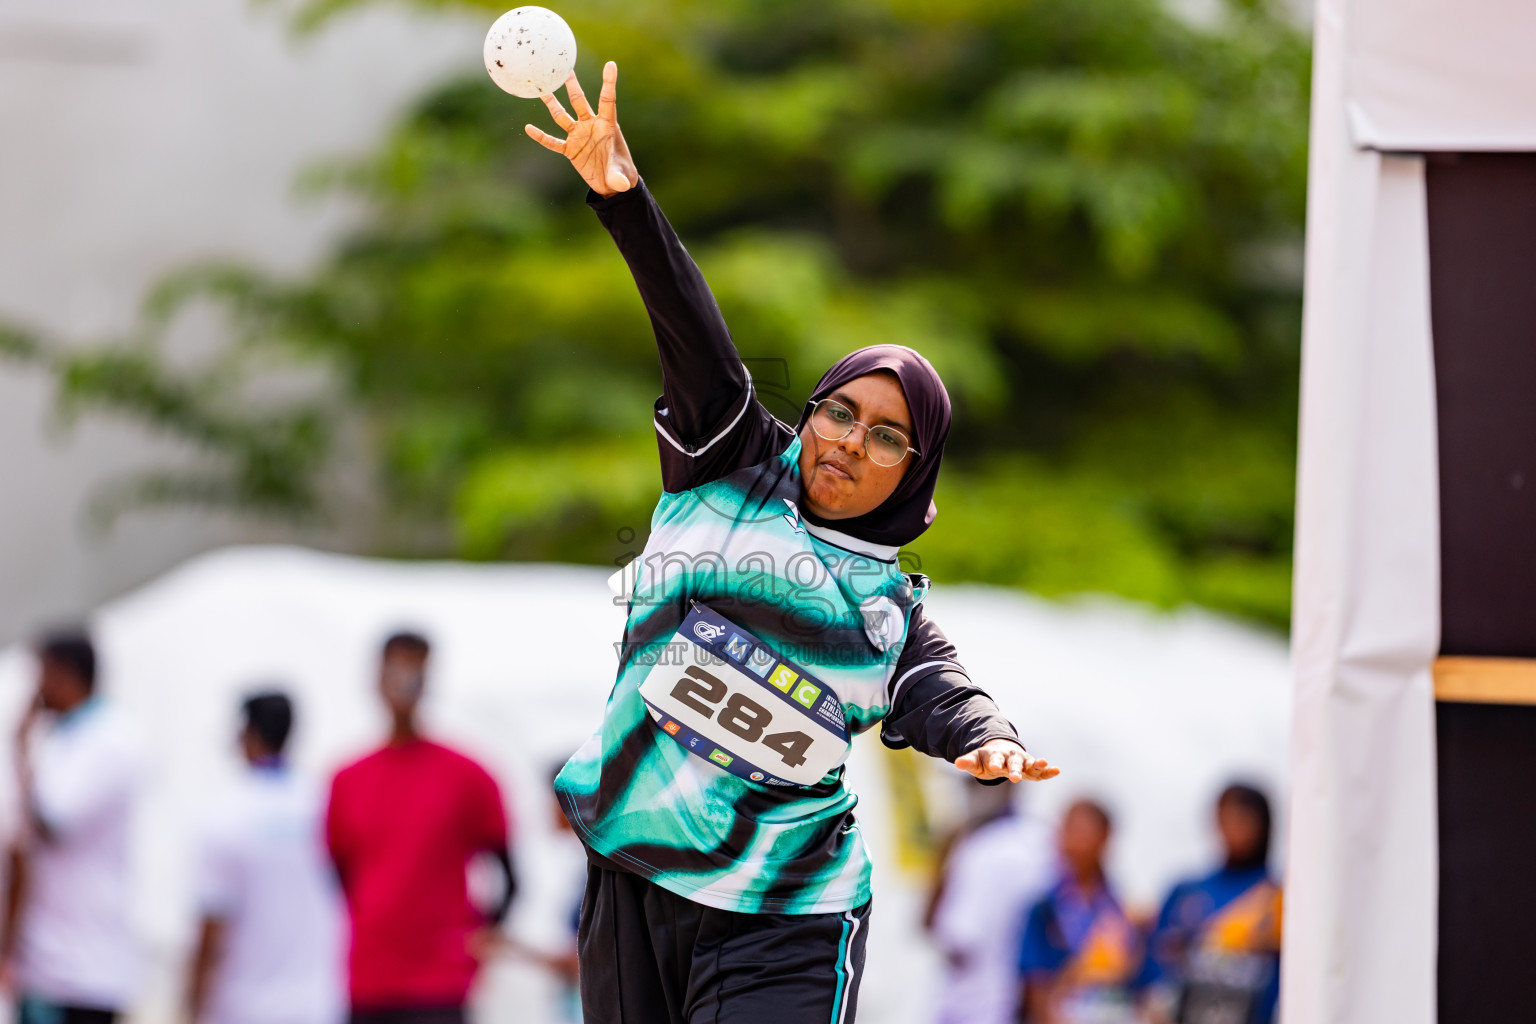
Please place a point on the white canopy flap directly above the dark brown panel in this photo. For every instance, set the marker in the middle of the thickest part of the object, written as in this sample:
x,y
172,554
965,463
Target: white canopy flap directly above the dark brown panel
x,y
1426,76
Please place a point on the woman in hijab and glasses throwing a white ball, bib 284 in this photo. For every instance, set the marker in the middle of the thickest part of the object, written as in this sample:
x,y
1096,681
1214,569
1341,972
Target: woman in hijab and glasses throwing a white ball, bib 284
x,y
769,623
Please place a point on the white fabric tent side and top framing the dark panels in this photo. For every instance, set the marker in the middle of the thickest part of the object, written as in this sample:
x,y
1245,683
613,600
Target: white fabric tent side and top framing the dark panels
x,y
1394,81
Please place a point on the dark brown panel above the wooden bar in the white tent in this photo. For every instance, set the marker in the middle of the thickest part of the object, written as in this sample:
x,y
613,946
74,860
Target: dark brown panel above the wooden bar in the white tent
x,y
1483,300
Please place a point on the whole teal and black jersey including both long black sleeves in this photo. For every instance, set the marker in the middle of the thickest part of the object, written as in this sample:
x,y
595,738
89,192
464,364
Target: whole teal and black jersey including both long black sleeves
x,y
727,537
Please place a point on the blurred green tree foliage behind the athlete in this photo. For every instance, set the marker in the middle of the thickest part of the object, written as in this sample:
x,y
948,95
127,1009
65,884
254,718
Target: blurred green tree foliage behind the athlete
x,y
1085,213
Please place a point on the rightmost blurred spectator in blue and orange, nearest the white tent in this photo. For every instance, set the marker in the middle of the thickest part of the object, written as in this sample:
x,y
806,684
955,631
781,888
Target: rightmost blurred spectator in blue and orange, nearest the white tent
x,y
1214,957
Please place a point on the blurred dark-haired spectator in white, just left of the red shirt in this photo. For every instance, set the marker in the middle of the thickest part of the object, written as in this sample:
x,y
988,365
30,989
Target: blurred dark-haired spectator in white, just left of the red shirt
x,y
270,939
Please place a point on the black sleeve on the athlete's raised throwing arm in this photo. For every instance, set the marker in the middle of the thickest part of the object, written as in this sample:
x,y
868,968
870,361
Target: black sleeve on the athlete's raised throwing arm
x,y
709,418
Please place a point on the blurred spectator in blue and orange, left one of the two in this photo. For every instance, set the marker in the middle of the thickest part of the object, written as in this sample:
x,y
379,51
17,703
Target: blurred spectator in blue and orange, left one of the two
x,y
1081,953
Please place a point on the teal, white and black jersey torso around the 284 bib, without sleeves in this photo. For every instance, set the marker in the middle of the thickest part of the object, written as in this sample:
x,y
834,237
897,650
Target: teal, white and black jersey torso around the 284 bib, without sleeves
x,y
643,801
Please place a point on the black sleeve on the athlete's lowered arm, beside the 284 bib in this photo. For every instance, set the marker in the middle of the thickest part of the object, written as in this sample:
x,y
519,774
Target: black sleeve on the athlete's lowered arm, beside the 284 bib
x,y
935,705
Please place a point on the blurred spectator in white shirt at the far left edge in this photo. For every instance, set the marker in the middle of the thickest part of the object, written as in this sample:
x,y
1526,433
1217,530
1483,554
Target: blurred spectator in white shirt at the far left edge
x,y
68,951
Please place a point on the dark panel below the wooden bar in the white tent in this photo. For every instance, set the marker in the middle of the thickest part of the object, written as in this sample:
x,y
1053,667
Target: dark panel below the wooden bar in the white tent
x,y
1488,907
